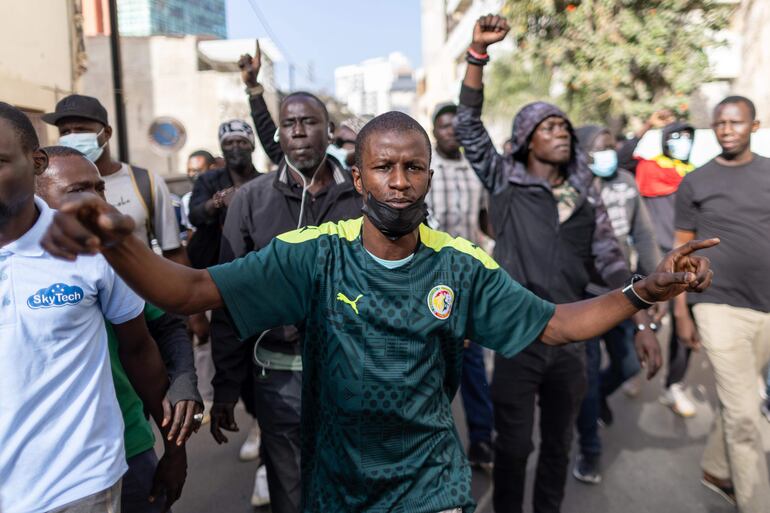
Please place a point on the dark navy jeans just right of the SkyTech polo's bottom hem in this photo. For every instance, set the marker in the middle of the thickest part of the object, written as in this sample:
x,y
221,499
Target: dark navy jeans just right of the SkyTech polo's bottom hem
x,y
137,484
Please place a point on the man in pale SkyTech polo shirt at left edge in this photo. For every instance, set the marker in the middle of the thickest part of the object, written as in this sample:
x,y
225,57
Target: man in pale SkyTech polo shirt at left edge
x,y
61,431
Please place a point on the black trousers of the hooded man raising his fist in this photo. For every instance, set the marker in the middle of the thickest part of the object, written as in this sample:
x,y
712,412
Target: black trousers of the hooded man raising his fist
x,y
556,377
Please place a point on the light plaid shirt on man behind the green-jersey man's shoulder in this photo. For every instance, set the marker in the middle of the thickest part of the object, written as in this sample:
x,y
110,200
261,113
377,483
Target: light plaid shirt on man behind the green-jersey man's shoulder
x,y
455,199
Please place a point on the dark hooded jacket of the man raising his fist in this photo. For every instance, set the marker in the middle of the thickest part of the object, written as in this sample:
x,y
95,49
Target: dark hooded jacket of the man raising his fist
x,y
552,259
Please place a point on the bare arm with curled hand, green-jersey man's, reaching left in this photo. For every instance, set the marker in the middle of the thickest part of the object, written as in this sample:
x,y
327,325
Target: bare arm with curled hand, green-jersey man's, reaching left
x,y
88,225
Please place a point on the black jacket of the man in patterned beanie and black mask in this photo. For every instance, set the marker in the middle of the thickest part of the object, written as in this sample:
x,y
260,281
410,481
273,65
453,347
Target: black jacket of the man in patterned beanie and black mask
x,y
203,248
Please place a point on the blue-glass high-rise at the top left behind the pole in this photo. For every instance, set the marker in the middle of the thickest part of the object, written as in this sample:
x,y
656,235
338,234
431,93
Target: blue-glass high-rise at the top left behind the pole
x,y
158,17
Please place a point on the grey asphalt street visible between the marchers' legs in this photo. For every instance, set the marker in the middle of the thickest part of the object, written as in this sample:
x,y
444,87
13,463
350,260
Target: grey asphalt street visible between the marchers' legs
x,y
650,462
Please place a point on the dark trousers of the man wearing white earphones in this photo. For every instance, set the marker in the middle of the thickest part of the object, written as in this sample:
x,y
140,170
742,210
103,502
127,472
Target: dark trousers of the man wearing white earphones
x,y
277,400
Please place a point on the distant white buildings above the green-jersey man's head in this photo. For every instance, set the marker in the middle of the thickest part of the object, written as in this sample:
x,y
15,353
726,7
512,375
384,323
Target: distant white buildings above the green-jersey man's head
x,y
377,85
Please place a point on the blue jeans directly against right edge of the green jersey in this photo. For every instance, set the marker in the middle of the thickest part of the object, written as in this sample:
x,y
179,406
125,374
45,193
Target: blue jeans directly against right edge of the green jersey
x,y
475,393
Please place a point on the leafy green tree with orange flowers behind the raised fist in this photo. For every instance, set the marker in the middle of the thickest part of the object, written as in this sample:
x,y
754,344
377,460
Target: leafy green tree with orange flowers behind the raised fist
x,y
613,59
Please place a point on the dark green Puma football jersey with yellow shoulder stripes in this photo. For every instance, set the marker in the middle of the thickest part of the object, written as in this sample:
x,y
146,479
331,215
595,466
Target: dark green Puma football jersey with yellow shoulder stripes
x,y
382,357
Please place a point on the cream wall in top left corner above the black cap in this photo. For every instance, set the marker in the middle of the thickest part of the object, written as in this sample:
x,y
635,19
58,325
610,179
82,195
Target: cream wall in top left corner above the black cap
x,y
36,57
